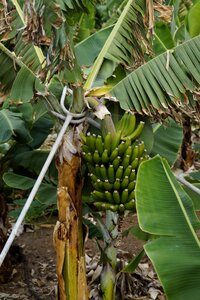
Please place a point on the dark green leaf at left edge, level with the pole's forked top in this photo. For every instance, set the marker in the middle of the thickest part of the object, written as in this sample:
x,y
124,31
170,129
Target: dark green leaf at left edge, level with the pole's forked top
x,y
12,125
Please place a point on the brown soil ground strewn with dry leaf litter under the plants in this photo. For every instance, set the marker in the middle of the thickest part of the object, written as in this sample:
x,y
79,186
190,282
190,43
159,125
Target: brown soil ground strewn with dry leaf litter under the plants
x,y
34,275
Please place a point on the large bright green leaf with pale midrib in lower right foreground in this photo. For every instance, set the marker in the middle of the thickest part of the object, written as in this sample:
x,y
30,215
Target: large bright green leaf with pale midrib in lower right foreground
x,y
165,210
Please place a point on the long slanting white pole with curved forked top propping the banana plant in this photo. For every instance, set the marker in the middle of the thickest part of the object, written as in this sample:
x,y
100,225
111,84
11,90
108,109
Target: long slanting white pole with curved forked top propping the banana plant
x,y
68,120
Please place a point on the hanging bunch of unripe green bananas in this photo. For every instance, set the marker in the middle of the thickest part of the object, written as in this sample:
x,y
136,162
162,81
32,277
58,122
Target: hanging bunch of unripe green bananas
x,y
113,164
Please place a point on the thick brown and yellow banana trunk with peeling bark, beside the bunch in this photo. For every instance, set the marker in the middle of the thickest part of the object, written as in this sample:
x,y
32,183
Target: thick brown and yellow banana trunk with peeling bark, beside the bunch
x,y
68,233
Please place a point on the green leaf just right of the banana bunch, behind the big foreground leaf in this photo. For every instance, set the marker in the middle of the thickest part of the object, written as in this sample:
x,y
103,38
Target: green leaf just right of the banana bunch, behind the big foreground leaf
x,y
167,140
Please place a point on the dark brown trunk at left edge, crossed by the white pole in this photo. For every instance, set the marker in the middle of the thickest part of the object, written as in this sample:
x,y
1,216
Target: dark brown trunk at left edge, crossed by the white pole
x,y
6,268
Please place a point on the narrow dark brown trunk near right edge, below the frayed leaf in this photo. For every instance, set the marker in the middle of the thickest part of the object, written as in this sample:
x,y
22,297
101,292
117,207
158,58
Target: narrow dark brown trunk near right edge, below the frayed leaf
x,y
187,154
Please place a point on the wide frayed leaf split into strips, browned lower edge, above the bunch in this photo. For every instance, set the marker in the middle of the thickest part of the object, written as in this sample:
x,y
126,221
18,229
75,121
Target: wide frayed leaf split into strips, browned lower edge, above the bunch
x,y
163,82
